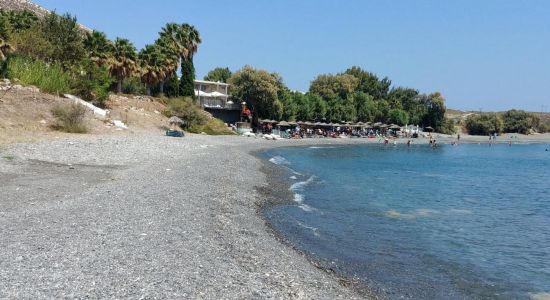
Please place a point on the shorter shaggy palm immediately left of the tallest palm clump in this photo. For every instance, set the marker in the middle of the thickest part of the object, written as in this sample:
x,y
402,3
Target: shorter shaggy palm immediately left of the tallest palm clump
x,y
151,63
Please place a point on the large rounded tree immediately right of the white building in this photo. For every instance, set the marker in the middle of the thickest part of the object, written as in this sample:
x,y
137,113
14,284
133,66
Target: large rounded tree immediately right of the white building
x,y
258,88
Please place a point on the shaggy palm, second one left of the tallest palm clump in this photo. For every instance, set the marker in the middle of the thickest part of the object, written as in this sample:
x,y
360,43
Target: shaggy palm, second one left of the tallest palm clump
x,y
123,62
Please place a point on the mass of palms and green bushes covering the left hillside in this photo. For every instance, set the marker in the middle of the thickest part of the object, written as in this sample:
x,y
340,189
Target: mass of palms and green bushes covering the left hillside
x,y
87,62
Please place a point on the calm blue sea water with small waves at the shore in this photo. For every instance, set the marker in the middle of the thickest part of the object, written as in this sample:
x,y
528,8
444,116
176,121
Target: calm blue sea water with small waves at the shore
x,y
456,222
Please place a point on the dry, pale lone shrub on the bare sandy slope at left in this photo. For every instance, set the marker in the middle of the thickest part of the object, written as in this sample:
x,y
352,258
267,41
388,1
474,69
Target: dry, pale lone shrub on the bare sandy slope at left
x,y
70,118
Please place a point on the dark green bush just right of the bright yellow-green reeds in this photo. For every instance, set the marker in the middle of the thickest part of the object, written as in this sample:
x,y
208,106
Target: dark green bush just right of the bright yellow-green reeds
x,y
92,83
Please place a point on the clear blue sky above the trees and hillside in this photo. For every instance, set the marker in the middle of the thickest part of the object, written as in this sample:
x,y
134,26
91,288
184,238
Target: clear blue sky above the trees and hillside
x,y
489,55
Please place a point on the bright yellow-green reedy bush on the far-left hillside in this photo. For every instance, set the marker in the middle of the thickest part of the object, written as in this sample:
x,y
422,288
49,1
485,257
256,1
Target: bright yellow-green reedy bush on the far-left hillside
x,y
50,78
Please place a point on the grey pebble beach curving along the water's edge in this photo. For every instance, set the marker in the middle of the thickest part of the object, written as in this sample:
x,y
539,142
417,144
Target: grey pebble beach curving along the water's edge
x,y
146,216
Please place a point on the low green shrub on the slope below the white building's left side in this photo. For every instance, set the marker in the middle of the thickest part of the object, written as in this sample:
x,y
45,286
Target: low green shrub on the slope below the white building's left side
x,y
186,109
